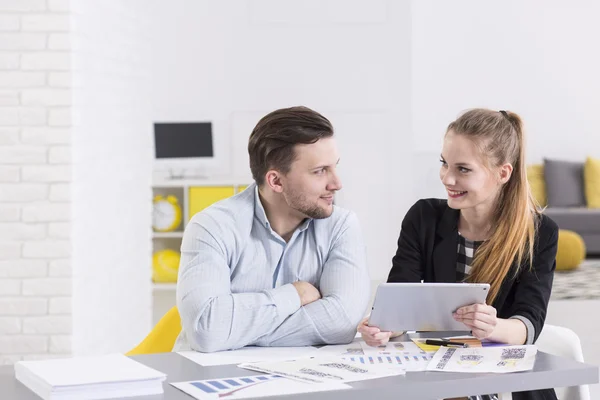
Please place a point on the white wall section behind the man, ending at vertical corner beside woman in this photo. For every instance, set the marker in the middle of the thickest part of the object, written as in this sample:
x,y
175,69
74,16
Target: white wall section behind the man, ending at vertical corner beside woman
x,y
349,60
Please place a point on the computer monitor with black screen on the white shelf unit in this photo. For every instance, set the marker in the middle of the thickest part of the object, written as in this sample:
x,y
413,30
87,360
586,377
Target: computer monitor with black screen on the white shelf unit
x,y
185,149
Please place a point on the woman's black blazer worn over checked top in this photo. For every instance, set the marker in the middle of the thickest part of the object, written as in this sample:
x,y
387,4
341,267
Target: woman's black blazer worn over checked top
x,y
428,249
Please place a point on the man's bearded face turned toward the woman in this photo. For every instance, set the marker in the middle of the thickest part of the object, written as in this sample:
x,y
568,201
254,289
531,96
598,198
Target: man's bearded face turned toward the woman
x,y
312,181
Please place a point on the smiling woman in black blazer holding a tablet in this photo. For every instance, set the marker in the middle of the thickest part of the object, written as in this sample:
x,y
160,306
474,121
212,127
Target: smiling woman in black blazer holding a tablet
x,y
488,230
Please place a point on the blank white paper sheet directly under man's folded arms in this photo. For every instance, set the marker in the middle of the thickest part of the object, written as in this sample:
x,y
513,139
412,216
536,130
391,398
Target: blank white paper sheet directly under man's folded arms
x,y
249,354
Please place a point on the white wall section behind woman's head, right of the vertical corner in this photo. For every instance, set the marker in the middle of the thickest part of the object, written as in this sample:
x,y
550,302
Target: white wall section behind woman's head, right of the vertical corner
x,y
536,58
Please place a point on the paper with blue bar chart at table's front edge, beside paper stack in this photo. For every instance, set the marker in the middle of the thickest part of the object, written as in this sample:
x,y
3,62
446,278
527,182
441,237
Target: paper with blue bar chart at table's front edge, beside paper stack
x,y
252,386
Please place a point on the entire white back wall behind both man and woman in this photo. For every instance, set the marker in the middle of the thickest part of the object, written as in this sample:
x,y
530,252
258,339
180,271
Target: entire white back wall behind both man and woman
x,y
390,75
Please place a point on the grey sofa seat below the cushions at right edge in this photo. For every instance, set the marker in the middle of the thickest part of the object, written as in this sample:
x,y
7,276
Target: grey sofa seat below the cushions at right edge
x,y
584,221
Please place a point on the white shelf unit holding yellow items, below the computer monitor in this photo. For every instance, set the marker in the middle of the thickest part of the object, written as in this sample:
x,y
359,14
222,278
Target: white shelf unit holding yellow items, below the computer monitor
x,y
190,196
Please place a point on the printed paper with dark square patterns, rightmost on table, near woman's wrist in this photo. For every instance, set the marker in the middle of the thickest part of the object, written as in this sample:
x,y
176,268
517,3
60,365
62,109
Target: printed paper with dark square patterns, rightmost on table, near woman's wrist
x,y
484,359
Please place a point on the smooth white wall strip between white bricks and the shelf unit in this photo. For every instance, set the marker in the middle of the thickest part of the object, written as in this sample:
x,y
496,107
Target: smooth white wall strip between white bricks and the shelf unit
x,y
112,150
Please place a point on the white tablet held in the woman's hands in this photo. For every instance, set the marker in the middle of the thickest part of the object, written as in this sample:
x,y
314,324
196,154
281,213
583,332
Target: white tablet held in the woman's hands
x,y
423,306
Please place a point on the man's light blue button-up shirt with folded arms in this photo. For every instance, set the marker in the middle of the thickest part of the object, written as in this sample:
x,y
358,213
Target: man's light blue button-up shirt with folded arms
x,y
235,278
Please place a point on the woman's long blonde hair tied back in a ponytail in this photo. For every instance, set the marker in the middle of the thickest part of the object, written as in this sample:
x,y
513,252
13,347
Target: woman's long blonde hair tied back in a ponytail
x,y
500,137
